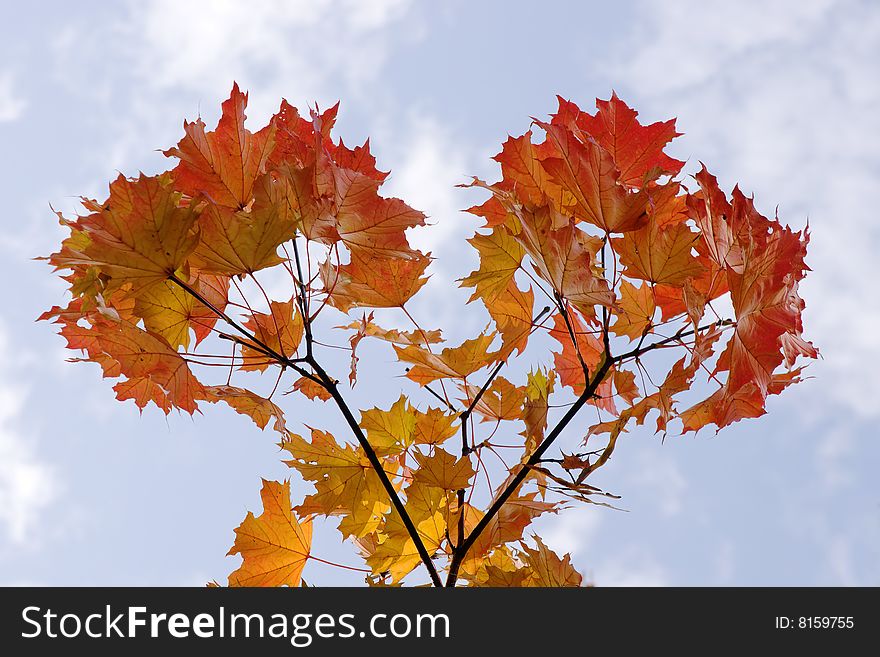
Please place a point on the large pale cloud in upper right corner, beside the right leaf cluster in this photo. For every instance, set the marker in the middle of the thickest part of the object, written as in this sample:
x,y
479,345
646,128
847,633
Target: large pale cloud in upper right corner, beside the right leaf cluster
x,y
784,98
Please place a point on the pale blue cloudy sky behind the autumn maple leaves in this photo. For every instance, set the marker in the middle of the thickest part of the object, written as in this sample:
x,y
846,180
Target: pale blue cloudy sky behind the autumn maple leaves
x,y
782,98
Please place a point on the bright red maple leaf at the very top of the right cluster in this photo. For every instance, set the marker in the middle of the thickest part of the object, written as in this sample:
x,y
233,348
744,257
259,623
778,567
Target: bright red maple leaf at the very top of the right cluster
x,y
636,149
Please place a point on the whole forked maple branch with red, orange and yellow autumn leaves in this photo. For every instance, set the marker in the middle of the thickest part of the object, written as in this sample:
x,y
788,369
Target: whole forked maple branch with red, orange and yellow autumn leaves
x,y
652,291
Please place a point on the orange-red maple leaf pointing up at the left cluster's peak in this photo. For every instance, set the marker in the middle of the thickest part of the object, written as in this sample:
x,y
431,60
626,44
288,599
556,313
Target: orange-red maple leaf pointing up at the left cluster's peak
x,y
222,165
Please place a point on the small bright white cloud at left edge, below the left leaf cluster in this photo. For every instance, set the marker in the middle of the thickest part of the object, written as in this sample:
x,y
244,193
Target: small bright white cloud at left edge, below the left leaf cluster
x,y
26,484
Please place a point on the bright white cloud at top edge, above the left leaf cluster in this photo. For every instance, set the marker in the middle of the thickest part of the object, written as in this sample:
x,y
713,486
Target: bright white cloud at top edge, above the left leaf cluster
x,y
295,46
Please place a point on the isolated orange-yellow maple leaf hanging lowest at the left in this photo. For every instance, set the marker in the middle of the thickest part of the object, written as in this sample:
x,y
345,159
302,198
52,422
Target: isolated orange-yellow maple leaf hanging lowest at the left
x,y
274,545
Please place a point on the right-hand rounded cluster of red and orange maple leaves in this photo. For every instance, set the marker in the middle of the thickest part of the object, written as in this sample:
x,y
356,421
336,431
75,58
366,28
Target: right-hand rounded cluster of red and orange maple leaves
x,y
597,208
